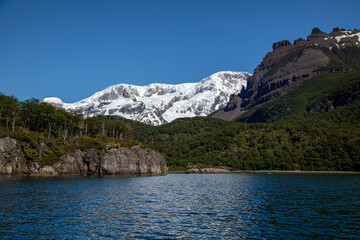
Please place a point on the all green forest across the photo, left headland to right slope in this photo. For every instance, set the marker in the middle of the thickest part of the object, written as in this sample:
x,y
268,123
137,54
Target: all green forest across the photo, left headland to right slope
x,y
314,127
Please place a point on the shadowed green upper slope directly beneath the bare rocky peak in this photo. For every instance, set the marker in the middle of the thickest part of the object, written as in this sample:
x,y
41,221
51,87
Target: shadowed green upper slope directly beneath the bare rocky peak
x,y
322,94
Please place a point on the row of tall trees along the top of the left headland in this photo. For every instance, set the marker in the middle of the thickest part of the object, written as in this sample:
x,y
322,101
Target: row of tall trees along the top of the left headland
x,y
41,117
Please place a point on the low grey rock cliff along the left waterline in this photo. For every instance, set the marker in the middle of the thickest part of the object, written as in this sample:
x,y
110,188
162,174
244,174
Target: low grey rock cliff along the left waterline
x,y
135,160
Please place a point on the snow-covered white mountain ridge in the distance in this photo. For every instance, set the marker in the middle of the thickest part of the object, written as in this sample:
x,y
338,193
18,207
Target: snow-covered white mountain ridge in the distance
x,y
156,103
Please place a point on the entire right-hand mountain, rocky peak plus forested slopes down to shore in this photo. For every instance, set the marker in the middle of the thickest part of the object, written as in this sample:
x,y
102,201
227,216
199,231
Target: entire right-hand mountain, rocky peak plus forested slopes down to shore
x,y
310,122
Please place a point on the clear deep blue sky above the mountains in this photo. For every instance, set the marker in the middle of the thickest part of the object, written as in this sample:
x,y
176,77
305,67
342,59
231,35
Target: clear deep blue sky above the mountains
x,y
73,48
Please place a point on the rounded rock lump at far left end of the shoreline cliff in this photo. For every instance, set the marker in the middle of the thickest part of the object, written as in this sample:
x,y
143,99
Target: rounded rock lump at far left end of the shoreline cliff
x,y
12,159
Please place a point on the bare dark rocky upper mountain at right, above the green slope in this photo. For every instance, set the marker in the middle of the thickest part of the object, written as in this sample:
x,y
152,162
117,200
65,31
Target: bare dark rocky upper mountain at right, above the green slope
x,y
290,65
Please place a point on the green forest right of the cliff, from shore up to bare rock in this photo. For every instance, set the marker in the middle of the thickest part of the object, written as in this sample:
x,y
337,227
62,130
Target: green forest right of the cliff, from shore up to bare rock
x,y
314,127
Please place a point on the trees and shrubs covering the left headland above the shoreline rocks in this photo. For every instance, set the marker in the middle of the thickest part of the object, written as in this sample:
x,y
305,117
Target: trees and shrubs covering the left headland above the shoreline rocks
x,y
46,132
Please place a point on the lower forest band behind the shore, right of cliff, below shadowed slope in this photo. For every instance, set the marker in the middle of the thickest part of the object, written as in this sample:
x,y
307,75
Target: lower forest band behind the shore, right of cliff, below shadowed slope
x,y
323,142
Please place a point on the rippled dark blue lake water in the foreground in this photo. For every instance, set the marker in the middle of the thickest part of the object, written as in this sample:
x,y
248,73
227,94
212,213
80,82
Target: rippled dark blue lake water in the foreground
x,y
178,206
